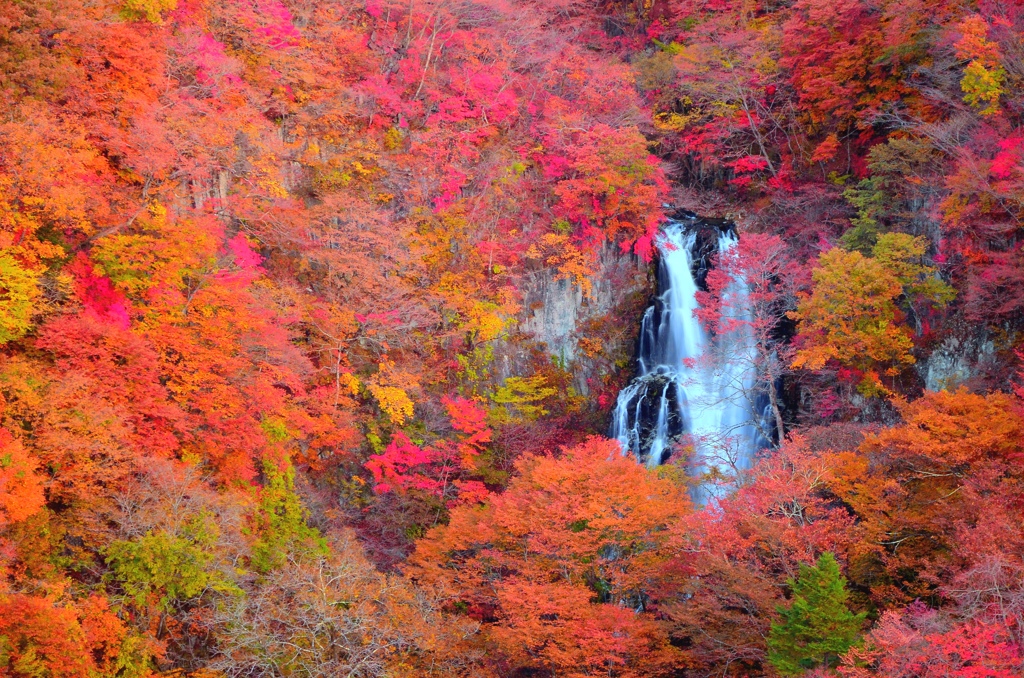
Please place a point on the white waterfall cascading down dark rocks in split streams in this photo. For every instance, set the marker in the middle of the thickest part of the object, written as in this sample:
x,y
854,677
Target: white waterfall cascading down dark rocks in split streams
x,y
692,389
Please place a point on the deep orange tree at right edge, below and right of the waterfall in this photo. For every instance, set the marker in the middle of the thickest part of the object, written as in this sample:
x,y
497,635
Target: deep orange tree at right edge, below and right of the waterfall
x,y
936,493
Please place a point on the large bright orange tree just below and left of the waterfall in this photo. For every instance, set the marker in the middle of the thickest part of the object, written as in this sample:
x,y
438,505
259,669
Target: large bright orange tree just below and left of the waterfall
x,y
588,528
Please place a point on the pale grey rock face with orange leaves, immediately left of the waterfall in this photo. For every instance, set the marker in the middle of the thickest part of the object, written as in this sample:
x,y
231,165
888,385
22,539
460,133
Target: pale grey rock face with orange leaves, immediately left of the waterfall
x,y
593,335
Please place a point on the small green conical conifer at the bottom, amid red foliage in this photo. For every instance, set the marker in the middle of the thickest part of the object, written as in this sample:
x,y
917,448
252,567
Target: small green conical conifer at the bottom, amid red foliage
x,y
818,627
